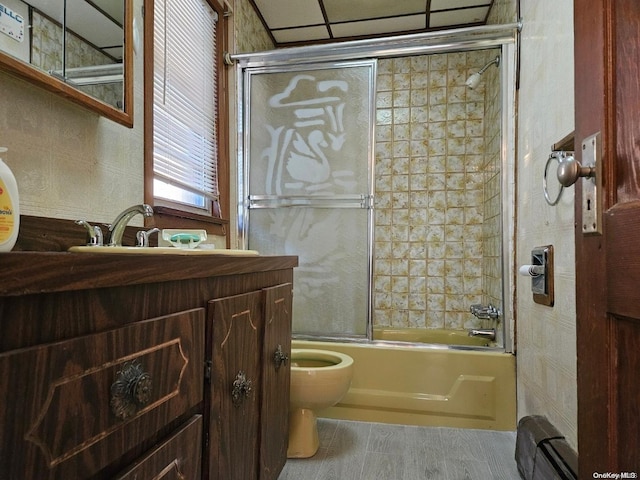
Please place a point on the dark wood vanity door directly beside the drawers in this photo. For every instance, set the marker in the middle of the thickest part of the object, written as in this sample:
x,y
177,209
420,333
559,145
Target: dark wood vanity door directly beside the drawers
x,y
237,325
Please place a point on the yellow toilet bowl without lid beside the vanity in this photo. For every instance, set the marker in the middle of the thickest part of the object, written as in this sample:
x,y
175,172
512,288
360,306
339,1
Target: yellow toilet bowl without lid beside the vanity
x,y
319,379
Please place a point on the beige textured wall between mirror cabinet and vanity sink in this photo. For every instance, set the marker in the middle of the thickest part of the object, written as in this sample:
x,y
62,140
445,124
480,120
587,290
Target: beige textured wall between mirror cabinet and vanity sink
x,y
69,162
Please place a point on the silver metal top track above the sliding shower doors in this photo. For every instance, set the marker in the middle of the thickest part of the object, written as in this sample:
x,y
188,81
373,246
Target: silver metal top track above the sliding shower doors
x,y
470,38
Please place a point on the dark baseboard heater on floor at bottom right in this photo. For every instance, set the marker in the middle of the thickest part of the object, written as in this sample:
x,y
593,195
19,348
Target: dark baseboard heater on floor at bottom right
x,y
542,453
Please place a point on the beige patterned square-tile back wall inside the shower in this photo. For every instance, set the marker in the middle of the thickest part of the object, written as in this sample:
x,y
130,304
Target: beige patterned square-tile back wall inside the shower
x,y
436,184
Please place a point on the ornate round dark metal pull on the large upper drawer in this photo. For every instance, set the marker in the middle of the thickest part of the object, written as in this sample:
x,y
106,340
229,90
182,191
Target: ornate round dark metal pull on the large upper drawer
x,y
131,390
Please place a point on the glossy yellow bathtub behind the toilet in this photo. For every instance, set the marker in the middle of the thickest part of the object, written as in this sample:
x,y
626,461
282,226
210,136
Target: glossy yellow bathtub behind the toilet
x,y
426,385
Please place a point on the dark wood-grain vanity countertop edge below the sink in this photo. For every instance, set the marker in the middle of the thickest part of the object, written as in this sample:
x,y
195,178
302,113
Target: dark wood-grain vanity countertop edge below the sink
x,y
26,273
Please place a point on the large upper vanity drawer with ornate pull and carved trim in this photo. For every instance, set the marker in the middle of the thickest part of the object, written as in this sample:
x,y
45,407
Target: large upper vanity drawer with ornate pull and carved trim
x,y
72,408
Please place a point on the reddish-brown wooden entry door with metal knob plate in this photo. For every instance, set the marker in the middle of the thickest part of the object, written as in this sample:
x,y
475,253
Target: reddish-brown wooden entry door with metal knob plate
x,y
607,100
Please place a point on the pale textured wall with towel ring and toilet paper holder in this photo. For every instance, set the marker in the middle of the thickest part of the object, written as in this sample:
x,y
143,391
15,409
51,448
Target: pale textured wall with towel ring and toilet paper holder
x,y
546,339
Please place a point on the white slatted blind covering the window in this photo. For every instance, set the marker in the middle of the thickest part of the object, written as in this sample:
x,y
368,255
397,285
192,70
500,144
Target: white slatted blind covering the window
x,y
185,102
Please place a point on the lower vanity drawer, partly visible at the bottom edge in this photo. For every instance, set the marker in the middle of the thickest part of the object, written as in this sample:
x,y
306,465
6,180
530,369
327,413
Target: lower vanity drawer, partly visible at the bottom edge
x,y
178,458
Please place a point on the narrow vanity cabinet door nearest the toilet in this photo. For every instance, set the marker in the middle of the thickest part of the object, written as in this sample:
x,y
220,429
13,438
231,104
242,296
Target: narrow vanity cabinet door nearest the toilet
x,y
276,379
